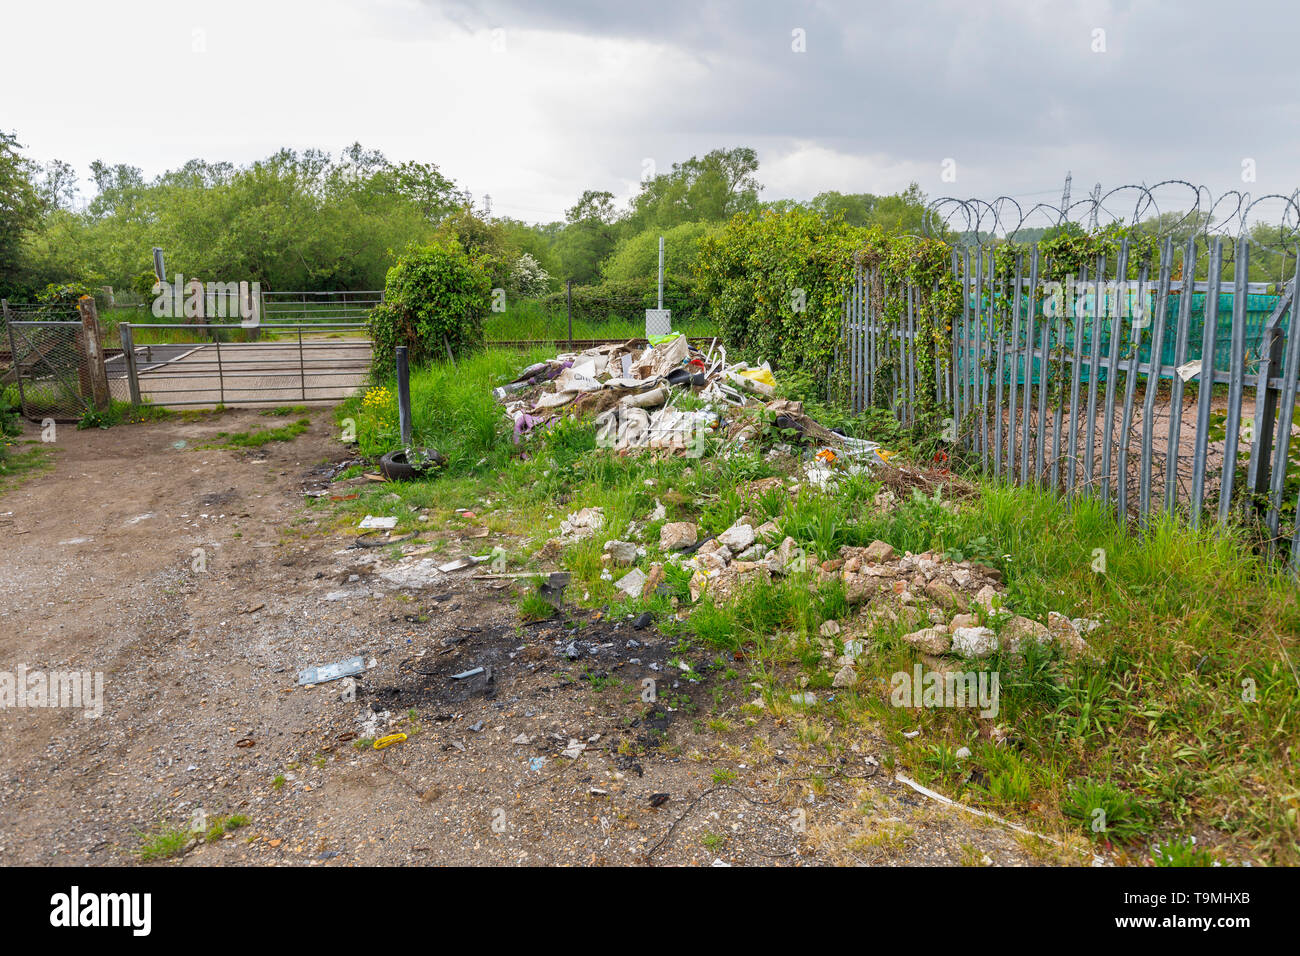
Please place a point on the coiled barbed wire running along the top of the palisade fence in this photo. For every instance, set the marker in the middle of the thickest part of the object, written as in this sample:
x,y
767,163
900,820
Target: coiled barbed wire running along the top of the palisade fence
x,y
1230,215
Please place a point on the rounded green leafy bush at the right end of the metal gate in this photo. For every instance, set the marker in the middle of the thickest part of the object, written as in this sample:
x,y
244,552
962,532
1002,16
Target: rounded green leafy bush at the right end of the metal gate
x,y
436,299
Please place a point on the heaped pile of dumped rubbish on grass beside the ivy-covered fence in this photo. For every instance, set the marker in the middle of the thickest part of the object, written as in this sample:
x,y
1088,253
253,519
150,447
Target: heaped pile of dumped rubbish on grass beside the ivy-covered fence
x,y
636,393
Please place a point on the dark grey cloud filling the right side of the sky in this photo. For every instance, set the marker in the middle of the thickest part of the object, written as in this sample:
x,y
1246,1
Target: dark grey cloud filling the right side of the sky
x,y
1011,90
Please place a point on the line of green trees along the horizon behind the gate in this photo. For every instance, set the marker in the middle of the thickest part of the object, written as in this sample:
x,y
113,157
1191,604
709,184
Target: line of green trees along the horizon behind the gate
x,y
309,220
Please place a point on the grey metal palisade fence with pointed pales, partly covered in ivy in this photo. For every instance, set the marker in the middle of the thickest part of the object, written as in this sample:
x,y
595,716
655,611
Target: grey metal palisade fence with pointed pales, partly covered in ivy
x,y
1164,386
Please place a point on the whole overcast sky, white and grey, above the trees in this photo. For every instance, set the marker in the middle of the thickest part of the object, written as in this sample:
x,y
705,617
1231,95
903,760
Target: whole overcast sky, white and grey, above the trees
x,y
535,102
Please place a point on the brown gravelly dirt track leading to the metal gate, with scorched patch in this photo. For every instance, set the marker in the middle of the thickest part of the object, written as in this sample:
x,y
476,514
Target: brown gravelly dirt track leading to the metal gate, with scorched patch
x,y
202,711
